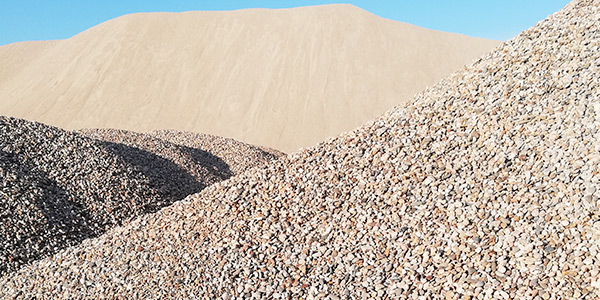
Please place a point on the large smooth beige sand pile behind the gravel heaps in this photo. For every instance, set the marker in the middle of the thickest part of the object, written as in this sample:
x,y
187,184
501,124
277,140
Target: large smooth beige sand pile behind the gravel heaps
x,y
285,78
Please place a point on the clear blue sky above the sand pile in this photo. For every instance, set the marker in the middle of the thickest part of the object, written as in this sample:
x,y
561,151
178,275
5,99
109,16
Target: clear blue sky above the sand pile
x,y
23,20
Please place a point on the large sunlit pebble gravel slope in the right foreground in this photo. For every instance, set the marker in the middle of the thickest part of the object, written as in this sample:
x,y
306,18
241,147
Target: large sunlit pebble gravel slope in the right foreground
x,y
485,188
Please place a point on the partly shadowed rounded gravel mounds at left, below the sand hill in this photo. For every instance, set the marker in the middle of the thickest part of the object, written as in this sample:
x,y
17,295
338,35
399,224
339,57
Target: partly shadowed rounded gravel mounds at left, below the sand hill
x,y
59,188
